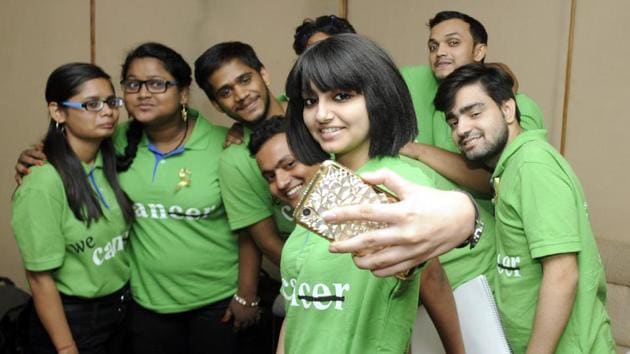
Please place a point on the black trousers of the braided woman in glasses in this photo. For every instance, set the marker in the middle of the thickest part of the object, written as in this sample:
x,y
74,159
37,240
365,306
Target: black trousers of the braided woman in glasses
x,y
196,331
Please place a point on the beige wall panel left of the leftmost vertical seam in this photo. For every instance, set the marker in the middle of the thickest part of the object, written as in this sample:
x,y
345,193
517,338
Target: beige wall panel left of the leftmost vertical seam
x,y
35,37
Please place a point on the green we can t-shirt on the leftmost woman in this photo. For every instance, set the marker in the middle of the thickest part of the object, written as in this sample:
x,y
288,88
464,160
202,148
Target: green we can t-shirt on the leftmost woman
x,y
84,261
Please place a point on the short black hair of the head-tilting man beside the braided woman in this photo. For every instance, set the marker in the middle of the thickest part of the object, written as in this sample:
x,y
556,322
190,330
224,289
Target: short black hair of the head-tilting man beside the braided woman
x,y
217,55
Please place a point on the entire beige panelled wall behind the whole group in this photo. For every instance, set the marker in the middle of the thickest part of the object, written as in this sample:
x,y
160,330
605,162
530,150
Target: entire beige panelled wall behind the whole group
x,y
530,36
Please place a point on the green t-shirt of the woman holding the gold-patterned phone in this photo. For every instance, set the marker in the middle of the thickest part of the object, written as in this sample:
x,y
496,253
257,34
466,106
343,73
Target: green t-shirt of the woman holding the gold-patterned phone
x,y
335,307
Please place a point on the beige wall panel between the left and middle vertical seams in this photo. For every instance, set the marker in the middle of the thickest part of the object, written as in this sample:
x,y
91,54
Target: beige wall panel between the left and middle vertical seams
x,y
200,24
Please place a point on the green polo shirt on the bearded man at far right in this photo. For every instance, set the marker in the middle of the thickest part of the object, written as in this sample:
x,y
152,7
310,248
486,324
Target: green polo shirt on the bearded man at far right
x,y
541,210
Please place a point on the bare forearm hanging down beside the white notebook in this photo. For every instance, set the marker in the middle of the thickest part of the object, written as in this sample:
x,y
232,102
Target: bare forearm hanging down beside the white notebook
x,y
436,296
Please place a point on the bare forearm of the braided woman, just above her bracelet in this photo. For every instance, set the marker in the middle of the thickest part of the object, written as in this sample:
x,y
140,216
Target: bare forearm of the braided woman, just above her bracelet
x,y
249,266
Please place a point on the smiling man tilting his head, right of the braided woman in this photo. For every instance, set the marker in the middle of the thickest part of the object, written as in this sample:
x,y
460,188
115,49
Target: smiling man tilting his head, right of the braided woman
x,y
236,82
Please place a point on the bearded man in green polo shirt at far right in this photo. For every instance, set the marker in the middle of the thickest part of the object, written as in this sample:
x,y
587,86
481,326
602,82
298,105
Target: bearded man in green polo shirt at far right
x,y
550,284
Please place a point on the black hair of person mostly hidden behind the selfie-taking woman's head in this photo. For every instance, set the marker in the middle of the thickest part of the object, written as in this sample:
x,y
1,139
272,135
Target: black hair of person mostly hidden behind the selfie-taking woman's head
x,y
329,24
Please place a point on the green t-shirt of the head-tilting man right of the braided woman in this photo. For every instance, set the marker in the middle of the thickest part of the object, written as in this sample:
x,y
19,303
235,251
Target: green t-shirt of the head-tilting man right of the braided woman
x,y
246,193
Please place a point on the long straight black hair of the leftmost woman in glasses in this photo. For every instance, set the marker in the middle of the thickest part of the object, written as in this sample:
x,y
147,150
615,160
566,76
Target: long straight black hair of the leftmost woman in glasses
x,y
63,83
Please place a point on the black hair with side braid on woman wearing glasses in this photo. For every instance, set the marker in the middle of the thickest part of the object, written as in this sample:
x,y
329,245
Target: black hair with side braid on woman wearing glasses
x,y
175,64
